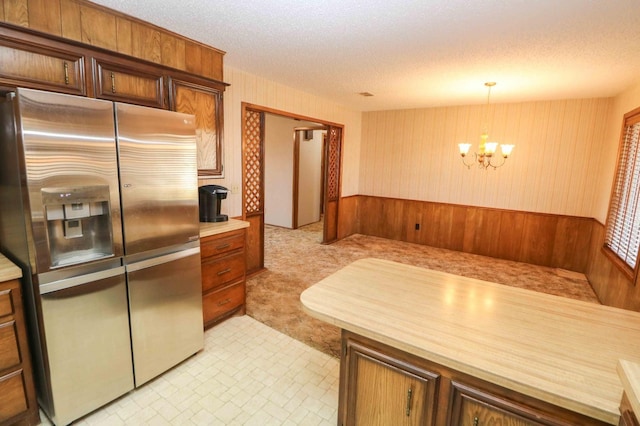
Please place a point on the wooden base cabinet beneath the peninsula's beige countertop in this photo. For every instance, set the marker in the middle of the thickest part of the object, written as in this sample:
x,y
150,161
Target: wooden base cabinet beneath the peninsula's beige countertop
x,y
381,385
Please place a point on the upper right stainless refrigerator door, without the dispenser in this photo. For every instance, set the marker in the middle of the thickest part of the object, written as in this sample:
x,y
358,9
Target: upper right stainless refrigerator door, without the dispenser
x,y
158,177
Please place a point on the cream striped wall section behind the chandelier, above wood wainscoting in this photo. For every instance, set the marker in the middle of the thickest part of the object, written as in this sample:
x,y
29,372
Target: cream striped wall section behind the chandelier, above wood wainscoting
x,y
413,154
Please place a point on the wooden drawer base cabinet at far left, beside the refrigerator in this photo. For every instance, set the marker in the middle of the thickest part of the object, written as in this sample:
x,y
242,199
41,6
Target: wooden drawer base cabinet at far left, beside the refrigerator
x,y
17,393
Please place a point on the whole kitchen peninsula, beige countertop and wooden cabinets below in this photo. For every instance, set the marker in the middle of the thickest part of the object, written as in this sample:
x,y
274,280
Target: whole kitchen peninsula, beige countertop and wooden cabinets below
x,y
463,351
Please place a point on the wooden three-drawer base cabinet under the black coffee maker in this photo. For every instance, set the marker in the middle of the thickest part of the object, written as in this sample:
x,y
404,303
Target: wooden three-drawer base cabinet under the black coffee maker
x,y
223,276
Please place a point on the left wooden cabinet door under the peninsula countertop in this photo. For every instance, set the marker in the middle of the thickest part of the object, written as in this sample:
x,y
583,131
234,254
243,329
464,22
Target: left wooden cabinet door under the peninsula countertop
x,y
382,390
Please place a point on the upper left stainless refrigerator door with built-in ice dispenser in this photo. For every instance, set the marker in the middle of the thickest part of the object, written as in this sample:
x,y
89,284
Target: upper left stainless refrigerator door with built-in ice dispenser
x,y
68,147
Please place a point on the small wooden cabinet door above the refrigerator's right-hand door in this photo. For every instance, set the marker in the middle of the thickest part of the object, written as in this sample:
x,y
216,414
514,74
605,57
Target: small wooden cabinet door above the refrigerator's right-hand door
x,y
117,82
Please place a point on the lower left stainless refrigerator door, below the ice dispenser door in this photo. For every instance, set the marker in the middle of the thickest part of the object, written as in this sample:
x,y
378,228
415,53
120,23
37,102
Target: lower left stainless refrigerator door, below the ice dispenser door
x,y
86,328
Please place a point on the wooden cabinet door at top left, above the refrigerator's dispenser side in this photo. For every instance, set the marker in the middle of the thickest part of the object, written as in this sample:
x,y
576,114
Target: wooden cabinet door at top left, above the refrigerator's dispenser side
x,y
39,67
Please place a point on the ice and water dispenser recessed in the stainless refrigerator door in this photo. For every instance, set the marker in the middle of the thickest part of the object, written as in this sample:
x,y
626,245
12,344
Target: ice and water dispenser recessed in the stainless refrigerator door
x,y
78,224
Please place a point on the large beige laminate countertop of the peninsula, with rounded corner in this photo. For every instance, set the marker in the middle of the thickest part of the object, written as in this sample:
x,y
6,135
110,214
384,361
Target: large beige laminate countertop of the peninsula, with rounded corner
x,y
555,349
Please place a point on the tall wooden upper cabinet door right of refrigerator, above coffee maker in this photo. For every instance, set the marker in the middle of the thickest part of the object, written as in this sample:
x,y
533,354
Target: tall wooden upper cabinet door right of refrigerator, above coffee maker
x,y
205,102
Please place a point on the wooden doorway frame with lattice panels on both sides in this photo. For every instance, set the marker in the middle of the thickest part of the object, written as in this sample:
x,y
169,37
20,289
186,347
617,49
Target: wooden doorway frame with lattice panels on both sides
x,y
253,199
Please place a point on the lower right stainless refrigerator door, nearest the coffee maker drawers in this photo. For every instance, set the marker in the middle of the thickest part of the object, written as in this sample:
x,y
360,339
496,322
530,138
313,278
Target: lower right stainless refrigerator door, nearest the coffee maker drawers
x,y
165,300
